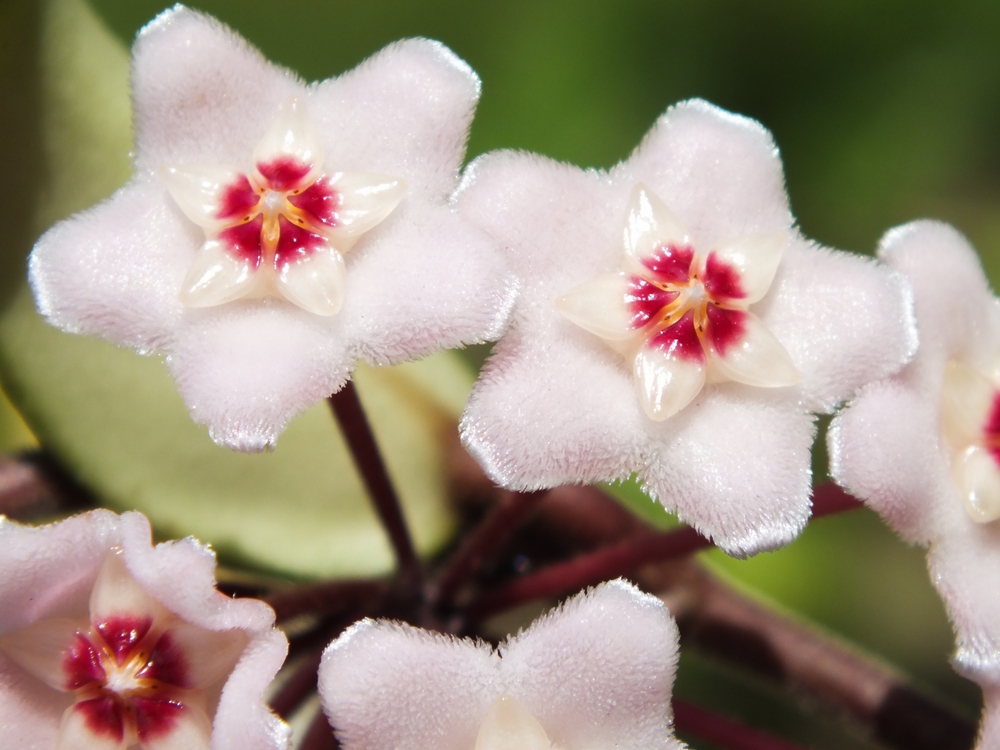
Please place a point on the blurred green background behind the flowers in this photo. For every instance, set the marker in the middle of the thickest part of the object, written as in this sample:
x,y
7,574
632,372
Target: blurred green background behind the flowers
x,y
884,110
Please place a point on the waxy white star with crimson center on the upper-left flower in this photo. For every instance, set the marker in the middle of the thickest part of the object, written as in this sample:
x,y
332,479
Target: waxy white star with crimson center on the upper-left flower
x,y
284,227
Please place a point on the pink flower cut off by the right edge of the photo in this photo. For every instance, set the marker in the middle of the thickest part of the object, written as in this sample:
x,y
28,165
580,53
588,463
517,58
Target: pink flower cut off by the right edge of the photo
x,y
922,447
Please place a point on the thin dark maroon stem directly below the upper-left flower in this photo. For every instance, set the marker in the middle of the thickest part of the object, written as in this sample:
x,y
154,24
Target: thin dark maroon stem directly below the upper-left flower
x,y
361,440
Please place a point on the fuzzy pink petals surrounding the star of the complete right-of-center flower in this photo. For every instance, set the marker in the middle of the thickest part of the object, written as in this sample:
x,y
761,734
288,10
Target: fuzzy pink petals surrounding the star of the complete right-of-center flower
x,y
556,404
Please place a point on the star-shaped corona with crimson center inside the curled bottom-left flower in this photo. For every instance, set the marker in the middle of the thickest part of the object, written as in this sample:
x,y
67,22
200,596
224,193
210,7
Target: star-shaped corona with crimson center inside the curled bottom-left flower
x,y
138,674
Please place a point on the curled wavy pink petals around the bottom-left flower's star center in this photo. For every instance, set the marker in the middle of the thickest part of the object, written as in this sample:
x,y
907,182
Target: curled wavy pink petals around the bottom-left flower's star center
x,y
50,571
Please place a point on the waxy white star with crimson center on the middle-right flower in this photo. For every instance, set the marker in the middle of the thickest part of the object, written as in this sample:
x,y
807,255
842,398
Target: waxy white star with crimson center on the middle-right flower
x,y
681,316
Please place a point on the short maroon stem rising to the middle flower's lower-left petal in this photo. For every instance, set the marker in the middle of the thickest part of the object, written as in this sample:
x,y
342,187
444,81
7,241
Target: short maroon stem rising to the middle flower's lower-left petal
x,y
484,542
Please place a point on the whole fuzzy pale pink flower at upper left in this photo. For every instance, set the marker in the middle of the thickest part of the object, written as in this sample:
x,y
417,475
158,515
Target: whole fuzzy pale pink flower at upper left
x,y
275,233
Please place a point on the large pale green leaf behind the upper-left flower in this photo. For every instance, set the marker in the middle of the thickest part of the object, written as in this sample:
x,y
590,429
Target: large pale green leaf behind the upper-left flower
x,y
115,419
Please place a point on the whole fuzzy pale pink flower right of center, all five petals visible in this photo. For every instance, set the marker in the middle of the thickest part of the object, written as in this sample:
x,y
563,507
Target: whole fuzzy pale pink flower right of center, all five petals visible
x,y
673,323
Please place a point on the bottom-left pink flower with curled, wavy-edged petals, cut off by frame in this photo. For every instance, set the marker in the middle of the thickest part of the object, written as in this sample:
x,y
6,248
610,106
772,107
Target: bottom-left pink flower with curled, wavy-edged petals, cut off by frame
x,y
108,642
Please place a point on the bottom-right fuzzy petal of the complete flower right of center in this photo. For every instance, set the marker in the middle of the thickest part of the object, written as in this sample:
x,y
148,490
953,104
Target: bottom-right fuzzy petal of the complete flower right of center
x,y
736,467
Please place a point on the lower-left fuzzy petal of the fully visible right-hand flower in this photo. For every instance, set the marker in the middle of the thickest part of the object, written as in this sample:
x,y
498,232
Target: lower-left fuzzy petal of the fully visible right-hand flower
x,y
545,414
